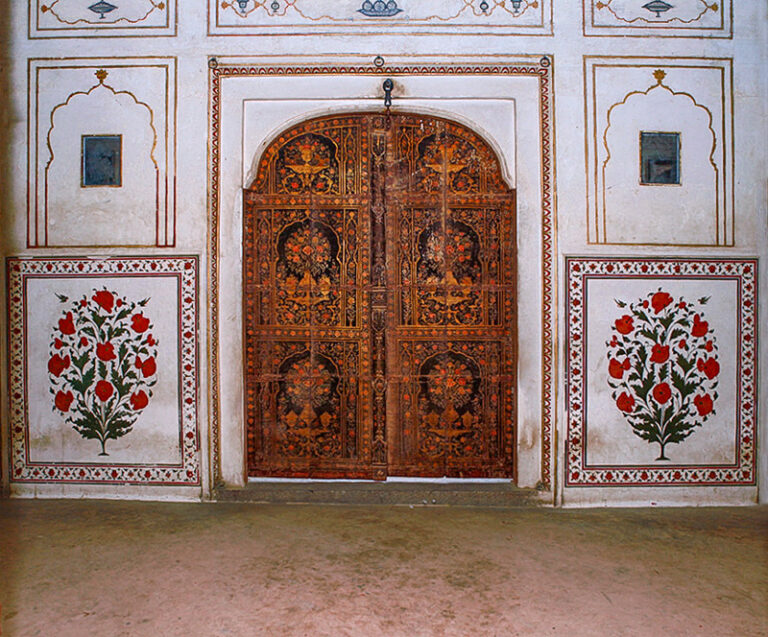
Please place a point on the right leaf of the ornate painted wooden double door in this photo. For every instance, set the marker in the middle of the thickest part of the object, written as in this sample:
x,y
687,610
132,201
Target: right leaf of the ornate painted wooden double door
x,y
451,352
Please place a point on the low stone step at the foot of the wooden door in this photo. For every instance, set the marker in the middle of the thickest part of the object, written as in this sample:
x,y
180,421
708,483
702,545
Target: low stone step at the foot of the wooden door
x,y
421,493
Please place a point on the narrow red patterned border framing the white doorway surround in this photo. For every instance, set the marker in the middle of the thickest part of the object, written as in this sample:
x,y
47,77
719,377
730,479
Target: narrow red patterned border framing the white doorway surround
x,y
542,71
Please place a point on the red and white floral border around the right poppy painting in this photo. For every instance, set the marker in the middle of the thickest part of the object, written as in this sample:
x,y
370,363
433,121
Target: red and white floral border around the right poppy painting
x,y
579,271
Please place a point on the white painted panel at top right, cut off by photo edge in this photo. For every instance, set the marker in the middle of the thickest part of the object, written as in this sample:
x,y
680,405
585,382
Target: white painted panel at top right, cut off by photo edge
x,y
673,18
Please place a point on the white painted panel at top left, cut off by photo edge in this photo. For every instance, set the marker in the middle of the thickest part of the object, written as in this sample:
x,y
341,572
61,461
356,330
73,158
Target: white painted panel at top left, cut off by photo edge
x,y
100,18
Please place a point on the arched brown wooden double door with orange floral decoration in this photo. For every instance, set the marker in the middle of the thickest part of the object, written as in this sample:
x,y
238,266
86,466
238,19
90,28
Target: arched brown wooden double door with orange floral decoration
x,y
379,302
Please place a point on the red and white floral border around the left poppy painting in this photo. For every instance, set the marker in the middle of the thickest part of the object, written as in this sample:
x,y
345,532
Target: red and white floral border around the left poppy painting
x,y
185,268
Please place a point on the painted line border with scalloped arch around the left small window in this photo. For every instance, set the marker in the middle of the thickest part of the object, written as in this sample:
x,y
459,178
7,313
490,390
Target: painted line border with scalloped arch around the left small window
x,y
165,173
